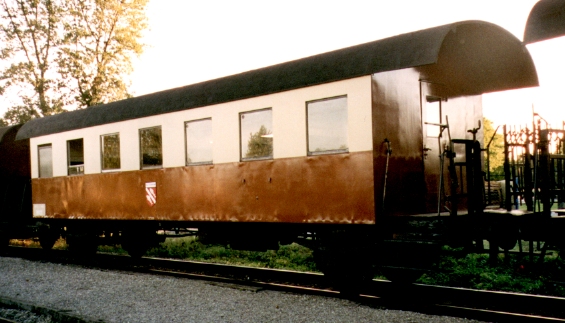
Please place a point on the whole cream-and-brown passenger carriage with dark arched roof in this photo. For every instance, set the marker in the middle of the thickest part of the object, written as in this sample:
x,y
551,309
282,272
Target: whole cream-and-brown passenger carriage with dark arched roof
x,y
262,157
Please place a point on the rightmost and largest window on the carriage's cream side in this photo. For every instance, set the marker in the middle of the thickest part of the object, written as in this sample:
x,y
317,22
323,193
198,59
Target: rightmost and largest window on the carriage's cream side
x,y
327,126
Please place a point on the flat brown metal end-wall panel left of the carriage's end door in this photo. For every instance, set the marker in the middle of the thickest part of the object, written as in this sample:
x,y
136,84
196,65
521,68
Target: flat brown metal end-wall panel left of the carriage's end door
x,y
396,117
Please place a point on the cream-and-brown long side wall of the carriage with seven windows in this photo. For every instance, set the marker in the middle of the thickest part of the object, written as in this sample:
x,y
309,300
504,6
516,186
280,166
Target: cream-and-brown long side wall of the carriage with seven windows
x,y
229,180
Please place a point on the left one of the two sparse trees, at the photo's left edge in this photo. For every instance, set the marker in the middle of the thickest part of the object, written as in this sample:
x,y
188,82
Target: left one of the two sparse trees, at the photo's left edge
x,y
29,36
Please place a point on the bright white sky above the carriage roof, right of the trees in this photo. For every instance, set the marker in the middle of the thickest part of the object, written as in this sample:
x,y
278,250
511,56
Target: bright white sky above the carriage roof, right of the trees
x,y
194,41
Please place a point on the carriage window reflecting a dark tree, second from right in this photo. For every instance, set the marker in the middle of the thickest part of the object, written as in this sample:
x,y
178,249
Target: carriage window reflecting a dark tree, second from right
x,y
256,134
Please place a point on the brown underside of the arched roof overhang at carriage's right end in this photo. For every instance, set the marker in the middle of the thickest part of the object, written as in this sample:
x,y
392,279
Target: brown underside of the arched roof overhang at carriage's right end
x,y
477,59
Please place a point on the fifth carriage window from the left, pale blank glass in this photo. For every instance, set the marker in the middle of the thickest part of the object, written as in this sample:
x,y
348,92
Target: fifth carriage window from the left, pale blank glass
x,y
198,141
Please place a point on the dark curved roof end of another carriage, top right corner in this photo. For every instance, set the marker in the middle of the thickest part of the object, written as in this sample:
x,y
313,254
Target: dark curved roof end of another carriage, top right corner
x,y
546,20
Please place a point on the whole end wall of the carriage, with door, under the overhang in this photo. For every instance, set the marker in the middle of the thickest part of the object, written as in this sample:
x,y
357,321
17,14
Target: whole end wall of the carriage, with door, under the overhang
x,y
398,105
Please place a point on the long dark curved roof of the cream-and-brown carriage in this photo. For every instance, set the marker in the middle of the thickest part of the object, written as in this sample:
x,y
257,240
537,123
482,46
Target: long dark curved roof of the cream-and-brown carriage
x,y
407,50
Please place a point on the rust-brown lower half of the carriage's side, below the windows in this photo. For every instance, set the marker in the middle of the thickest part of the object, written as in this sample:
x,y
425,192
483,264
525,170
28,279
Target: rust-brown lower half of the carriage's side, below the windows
x,y
321,189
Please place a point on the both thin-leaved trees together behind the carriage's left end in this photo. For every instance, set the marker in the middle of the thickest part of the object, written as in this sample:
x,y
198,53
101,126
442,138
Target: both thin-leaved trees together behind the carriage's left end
x,y
59,55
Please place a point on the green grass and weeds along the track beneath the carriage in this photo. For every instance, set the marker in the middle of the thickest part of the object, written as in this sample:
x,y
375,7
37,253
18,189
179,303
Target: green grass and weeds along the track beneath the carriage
x,y
513,272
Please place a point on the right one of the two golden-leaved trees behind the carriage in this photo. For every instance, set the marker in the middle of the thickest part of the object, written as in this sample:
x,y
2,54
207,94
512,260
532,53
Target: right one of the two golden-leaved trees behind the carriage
x,y
100,39
